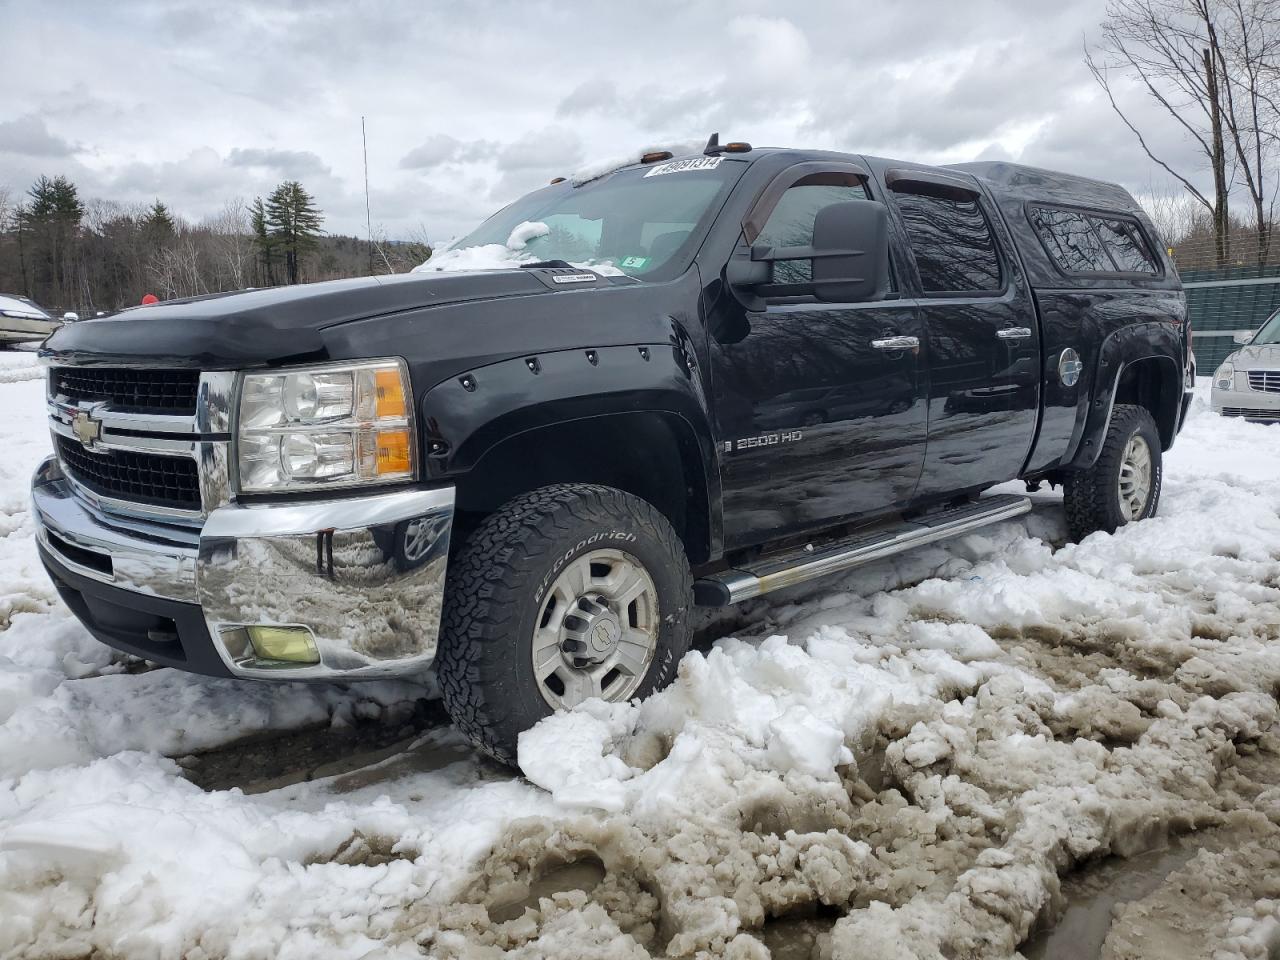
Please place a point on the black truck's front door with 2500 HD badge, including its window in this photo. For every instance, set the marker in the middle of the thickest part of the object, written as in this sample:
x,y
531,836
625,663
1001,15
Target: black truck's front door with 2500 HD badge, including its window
x,y
821,408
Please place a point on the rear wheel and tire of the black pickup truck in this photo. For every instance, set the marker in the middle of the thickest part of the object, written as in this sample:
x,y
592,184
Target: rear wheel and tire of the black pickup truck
x,y
1123,487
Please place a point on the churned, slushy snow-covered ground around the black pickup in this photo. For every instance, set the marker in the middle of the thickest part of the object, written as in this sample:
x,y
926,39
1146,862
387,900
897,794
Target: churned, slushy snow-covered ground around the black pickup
x,y
899,764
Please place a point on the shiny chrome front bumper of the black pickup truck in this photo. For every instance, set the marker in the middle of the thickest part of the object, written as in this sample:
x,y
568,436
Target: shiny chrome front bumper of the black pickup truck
x,y
340,568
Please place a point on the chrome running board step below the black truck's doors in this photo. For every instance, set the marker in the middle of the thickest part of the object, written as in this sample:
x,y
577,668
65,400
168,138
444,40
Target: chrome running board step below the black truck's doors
x,y
799,566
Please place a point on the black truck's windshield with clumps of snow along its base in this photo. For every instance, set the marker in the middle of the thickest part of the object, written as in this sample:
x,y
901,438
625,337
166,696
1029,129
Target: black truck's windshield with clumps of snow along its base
x,y
643,222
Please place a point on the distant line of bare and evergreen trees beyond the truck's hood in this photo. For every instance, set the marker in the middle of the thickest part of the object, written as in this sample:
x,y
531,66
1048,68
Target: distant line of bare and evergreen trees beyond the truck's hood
x,y
71,254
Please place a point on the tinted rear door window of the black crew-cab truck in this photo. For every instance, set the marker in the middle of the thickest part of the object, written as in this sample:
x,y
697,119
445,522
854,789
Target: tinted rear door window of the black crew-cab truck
x,y
952,240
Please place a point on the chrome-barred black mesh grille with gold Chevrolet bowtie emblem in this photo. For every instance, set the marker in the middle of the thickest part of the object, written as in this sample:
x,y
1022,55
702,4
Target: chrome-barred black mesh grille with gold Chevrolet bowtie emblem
x,y
144,444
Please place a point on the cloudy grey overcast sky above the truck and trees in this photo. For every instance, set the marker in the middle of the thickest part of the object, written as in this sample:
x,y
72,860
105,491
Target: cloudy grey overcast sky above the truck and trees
x,y
472,104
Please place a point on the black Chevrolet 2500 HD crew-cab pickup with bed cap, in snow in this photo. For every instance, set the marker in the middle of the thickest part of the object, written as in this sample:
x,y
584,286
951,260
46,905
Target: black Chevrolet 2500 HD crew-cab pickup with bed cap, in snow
x,y
692,381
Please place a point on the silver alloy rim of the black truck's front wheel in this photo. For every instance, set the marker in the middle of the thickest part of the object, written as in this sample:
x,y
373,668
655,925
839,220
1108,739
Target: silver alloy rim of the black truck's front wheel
x,y
597,630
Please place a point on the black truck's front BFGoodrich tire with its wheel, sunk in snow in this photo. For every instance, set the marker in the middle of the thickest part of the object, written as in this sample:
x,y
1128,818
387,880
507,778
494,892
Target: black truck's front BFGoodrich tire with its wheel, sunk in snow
x,y
568,592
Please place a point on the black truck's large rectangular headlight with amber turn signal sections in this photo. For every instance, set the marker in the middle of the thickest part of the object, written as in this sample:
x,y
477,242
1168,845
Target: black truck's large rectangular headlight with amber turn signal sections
x,y
333,426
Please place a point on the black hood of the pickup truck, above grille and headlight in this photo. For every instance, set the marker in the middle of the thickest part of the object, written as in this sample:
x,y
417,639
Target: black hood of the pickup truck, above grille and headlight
x,y
281,324
